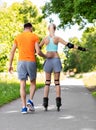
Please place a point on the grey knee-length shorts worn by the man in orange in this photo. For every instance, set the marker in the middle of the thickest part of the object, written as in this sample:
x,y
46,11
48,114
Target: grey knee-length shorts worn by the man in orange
x,y
26,69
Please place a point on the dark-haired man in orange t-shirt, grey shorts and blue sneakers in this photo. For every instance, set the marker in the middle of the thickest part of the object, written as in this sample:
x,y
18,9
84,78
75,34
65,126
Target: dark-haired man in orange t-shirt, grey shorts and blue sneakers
x,y
27,44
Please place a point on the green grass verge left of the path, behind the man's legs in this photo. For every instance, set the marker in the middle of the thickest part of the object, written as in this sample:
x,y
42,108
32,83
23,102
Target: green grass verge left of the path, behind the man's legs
x,y
10,88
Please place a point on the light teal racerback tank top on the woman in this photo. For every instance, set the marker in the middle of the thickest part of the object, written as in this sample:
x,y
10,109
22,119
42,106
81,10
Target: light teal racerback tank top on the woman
x,y
51,45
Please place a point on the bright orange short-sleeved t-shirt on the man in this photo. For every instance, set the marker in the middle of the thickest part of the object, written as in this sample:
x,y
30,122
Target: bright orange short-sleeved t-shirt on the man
x,y
26,46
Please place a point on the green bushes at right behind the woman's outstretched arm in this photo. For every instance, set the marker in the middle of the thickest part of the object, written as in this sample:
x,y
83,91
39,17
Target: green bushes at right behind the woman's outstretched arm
x,y
83,61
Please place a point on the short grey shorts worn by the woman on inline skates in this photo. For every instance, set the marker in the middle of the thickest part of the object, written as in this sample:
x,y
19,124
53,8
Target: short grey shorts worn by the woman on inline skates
x,y
52,65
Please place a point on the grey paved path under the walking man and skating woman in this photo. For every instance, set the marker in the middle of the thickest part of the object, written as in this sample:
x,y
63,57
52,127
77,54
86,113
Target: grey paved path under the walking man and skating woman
x,y
78,111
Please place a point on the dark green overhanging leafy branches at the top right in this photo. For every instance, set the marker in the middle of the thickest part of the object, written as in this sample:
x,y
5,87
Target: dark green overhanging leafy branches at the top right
x,y
71,11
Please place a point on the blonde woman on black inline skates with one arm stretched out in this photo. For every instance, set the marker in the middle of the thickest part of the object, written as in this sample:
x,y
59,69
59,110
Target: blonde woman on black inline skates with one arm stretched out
x,y
53,63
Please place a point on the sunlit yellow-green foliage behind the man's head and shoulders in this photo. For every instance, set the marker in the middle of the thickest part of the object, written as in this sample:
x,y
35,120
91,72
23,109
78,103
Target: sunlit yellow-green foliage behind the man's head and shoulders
x,y
12,19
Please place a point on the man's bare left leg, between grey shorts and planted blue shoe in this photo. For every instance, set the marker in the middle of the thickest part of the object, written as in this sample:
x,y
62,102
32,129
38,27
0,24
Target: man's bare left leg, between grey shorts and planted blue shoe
x,y
23,92
